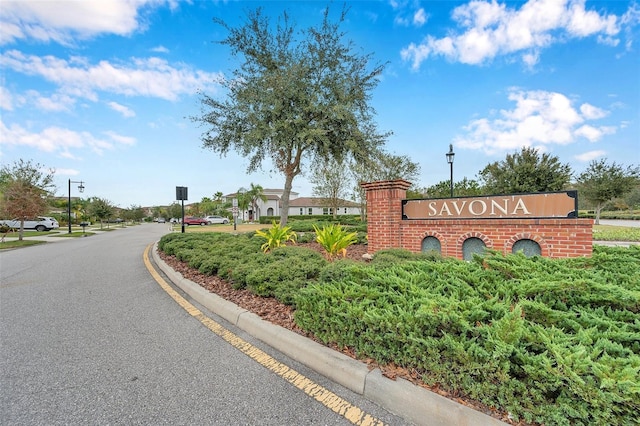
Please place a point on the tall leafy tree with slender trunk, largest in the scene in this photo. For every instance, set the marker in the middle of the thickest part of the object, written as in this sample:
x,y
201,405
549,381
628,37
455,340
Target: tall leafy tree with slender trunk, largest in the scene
x,y
297,97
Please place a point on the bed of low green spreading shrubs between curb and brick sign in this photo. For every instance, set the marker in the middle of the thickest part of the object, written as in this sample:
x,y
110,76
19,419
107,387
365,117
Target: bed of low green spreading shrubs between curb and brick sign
x,y
549,341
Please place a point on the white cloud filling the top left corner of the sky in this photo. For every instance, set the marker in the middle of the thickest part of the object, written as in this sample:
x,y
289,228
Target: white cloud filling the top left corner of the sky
x,y
48,21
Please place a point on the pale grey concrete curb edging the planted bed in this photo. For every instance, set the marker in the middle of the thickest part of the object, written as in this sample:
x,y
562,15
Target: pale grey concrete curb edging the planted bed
x,y
401,397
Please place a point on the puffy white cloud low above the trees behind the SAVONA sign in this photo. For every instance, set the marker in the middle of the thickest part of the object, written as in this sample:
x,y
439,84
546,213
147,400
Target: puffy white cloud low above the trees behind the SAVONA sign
x,y
538,119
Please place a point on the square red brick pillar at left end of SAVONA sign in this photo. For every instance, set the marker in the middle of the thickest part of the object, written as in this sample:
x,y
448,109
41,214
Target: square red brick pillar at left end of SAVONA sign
x,y
384,212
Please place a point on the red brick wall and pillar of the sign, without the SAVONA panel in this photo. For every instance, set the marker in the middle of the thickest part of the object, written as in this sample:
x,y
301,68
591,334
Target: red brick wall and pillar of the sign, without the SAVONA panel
x,y
557,237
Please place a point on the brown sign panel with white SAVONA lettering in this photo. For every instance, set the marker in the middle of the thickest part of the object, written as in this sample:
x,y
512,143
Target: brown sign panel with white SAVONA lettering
x,y
517,206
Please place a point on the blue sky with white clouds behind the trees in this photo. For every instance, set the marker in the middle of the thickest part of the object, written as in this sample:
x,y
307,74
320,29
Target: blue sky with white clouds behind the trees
x,y
101,91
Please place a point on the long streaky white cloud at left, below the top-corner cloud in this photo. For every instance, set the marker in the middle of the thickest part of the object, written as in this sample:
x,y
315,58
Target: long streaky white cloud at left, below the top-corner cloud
x,y
152,77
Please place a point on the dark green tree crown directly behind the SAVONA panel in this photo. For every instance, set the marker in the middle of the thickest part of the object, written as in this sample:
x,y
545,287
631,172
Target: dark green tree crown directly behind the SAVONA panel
x,y
525,171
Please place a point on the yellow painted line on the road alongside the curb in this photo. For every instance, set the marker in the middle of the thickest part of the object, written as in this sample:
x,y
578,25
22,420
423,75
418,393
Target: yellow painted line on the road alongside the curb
x,y
327,398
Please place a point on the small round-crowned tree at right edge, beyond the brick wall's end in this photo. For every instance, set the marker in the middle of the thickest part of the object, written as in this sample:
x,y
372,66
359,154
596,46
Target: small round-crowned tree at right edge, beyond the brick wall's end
x,y
601,182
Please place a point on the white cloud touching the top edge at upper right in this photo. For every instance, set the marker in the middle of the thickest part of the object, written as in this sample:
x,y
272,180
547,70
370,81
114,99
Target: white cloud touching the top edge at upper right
x,y
490,29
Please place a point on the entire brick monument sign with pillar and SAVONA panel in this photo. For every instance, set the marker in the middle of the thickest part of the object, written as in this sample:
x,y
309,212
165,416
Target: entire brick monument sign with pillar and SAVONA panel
x,y
543,224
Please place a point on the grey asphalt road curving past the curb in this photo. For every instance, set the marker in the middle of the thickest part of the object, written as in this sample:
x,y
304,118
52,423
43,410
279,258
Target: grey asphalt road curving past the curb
x,y
88,337
